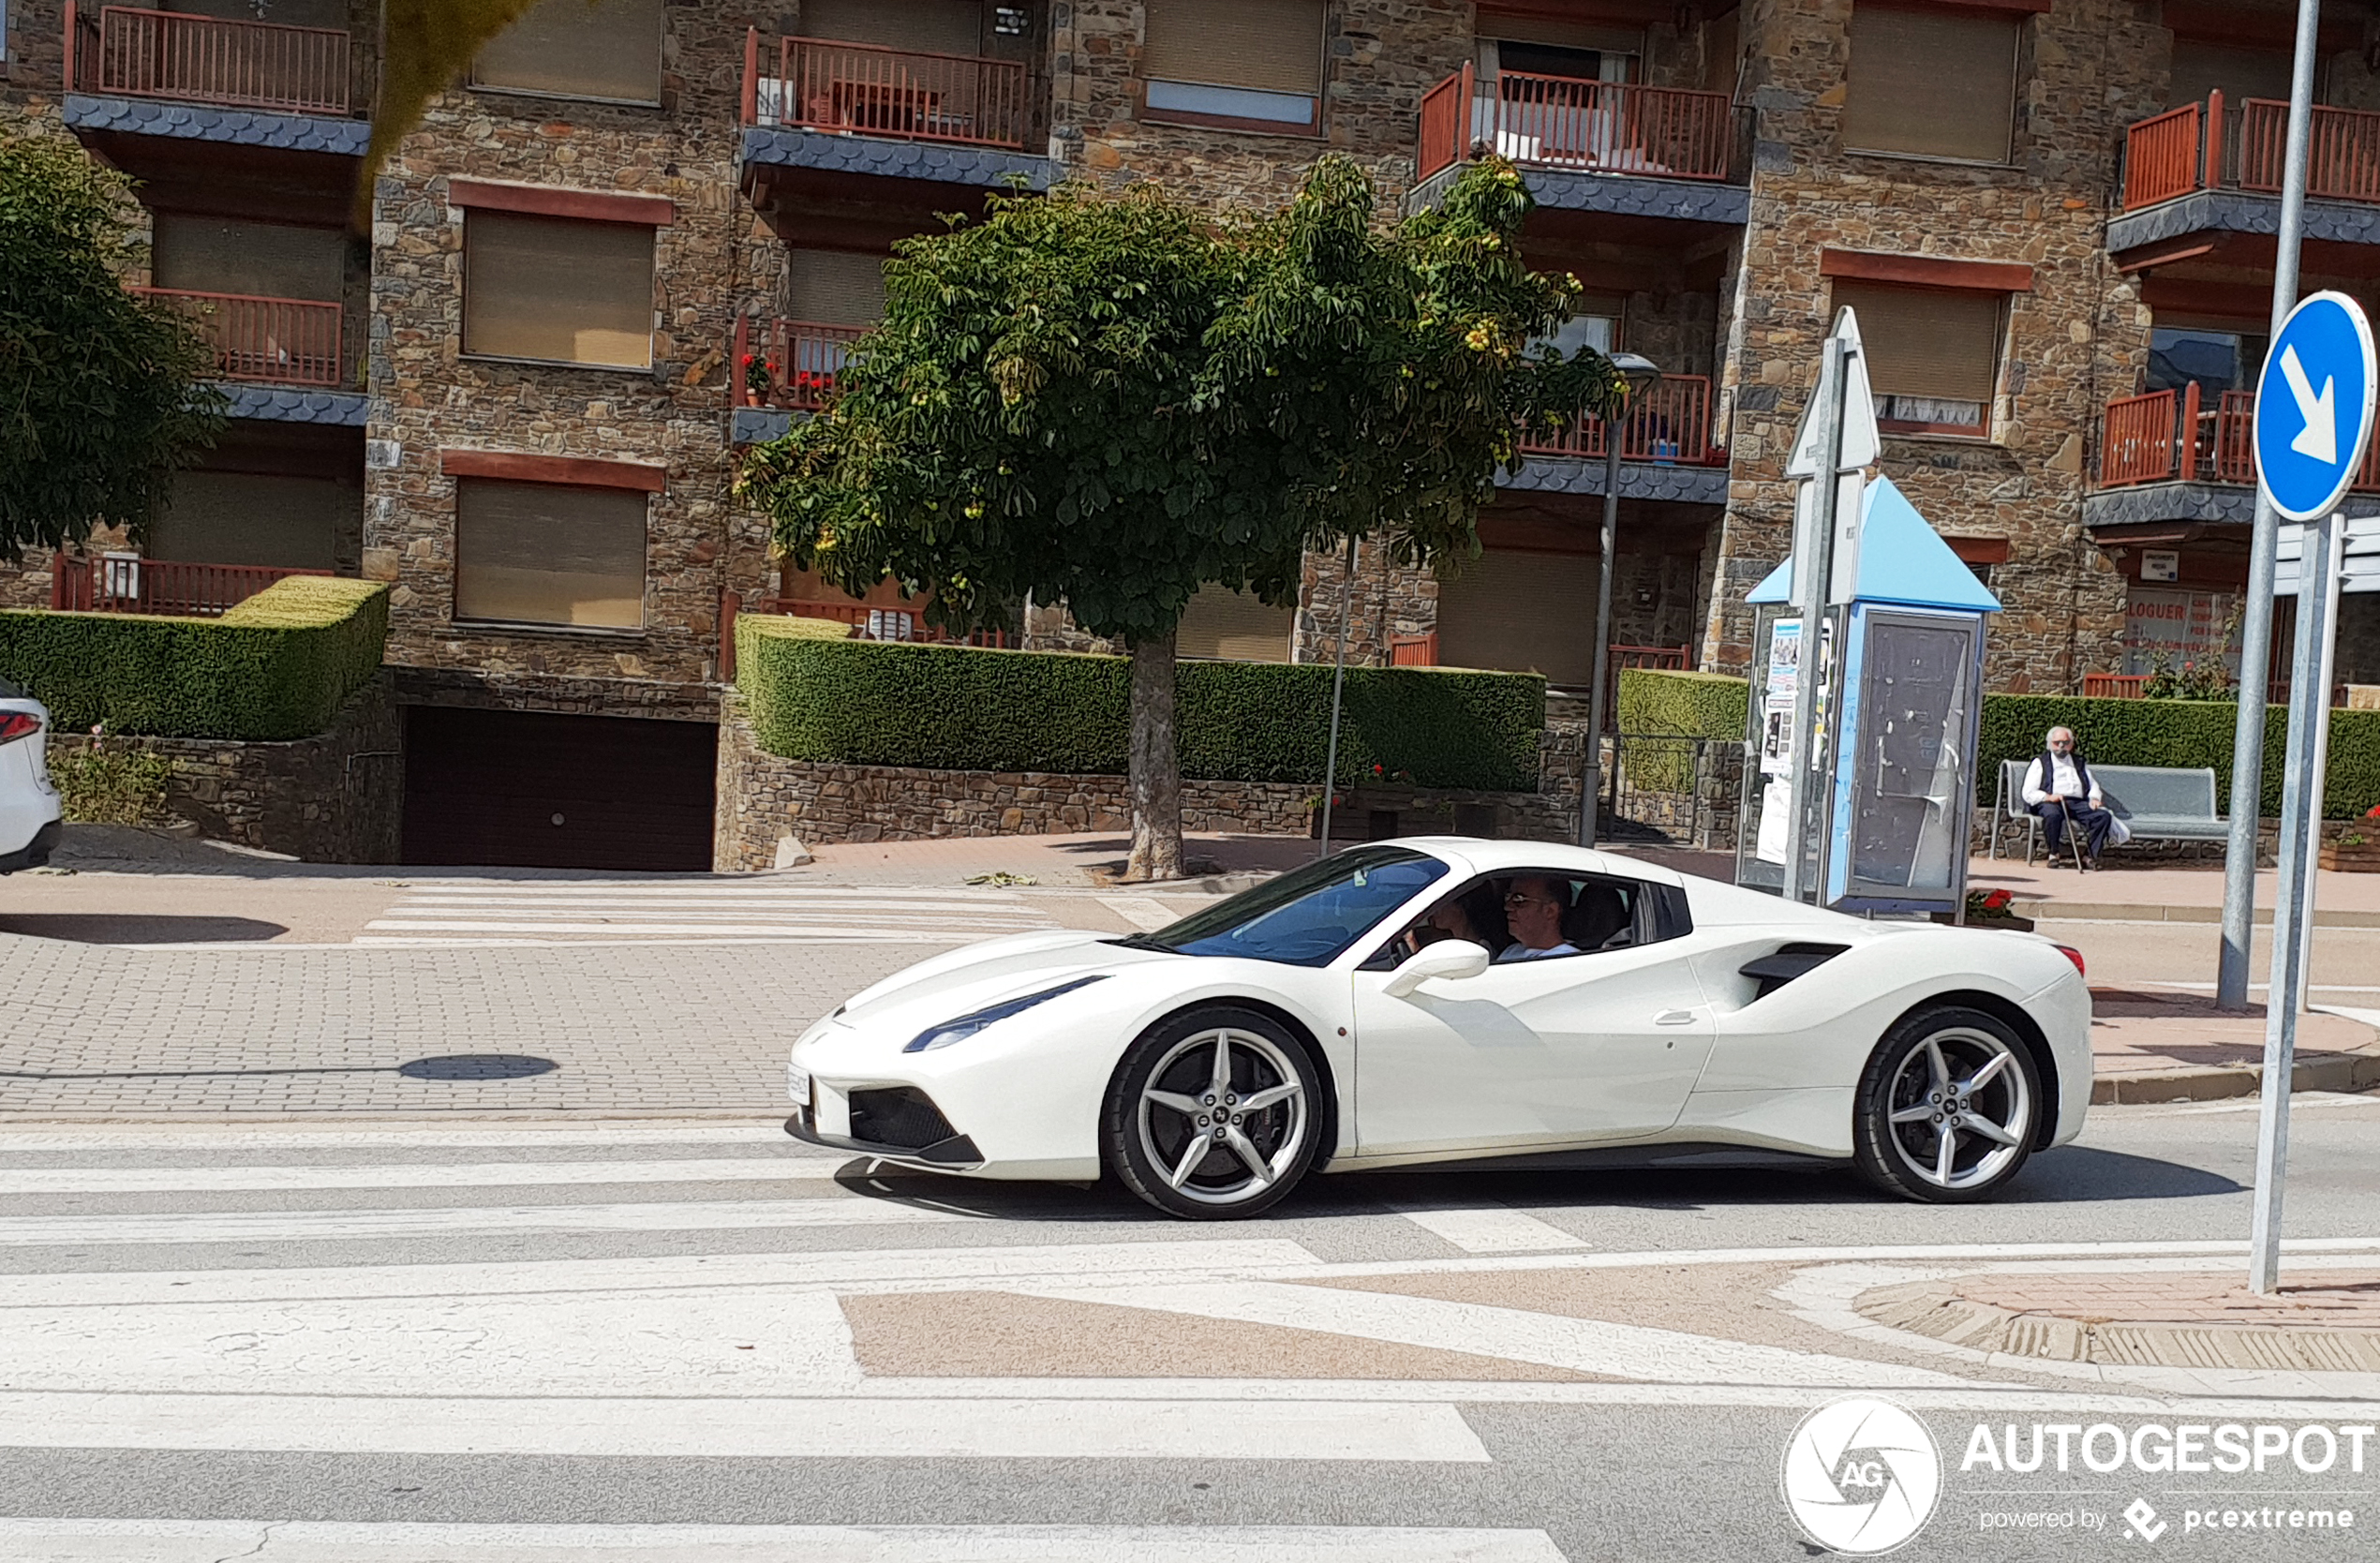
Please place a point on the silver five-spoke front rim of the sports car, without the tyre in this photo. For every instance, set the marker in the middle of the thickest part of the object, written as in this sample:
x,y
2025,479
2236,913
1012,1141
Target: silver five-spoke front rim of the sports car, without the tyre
x,y
1222,1117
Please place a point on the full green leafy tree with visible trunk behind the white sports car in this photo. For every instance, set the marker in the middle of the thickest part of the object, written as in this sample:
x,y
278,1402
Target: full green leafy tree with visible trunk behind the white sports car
x,y
1117,401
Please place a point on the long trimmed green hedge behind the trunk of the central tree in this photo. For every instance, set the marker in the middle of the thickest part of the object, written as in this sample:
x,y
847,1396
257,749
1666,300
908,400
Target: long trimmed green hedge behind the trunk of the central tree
x,y
865,703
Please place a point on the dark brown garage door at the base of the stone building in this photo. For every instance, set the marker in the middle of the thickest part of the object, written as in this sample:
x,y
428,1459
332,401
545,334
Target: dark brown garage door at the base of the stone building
x,y
534,791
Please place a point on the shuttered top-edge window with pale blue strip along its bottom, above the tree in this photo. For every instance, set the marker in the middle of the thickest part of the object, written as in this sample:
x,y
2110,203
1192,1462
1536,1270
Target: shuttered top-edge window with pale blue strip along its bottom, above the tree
x,y
1251,65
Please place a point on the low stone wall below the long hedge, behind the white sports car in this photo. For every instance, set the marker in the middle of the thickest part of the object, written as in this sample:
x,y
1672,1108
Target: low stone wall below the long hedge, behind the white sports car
x,y
765,798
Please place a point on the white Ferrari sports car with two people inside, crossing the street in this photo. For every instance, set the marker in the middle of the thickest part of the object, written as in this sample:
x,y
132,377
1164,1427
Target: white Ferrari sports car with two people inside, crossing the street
x,y
1455,1000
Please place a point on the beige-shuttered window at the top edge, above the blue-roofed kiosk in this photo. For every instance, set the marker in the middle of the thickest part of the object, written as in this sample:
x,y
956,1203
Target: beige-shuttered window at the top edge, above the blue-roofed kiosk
x,y
1931,82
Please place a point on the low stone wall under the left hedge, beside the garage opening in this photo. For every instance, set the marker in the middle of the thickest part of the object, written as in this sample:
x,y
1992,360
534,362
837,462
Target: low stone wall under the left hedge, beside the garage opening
x,y
337,798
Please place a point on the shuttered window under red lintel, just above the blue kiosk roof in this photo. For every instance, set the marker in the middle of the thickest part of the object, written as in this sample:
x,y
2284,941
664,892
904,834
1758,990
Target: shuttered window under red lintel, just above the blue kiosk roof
x,y
1934,356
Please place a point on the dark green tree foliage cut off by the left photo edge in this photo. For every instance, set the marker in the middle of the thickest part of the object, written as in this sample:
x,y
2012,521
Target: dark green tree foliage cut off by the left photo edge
x,y
99,389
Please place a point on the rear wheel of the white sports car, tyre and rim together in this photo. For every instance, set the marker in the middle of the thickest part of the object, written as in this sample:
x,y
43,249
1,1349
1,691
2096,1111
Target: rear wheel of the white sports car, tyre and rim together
x,y
1986,1096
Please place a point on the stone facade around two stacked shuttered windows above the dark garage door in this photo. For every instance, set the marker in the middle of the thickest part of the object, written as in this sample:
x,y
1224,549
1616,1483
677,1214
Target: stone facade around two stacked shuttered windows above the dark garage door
x,y
430,396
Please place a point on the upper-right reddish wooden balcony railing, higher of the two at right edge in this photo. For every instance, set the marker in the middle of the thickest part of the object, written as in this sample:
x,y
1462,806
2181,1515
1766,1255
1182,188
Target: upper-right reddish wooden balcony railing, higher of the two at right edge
x,y
2207,146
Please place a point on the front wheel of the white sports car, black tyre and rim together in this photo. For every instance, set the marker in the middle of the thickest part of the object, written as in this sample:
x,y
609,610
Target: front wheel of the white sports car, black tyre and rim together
x,y
1165,1093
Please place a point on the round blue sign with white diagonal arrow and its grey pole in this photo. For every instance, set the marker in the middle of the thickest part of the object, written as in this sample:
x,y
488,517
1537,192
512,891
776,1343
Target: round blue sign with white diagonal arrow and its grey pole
x,y
2315,418
